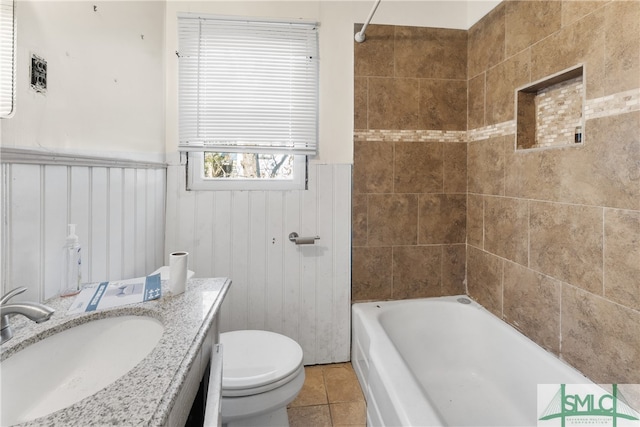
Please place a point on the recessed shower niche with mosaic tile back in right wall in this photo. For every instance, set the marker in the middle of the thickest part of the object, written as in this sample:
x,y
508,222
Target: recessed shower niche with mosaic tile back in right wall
x,y
549,112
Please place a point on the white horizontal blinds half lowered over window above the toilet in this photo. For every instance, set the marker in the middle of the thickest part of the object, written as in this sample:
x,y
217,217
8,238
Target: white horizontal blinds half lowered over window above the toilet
x,y
247,86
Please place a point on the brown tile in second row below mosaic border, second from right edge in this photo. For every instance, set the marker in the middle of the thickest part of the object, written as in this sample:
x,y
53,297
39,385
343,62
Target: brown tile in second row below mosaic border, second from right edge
x,y
566,243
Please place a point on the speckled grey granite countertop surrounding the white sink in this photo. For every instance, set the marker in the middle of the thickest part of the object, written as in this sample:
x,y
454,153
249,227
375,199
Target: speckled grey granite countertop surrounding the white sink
x,y
147,393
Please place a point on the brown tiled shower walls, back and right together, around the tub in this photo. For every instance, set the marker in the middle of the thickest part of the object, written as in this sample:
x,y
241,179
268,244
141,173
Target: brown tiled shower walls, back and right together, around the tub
x,y
552,236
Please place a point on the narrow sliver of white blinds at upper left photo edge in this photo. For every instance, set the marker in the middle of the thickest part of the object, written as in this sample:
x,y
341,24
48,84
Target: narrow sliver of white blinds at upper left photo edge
x,y
7,57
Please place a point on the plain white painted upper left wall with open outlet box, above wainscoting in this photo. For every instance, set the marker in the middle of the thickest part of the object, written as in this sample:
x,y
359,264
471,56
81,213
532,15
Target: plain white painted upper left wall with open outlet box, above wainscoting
x,y
105,79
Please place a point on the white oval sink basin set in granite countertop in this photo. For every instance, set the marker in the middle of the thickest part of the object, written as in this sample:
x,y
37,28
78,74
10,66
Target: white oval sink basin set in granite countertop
x,y
63,369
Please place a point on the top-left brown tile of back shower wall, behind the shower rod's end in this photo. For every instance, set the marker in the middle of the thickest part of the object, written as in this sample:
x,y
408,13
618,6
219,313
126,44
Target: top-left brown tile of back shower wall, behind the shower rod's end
x,y
375,56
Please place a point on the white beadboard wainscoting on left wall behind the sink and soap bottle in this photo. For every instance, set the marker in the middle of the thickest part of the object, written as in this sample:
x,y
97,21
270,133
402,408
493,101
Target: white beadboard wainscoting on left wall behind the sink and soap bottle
x,y
118,206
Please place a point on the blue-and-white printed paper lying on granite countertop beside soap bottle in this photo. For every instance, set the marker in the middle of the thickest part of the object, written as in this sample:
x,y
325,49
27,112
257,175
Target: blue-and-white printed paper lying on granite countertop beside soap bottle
x,y
117,293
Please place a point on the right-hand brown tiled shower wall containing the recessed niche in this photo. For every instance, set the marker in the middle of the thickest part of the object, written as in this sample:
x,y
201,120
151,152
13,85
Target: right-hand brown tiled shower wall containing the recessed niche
x,y
554,235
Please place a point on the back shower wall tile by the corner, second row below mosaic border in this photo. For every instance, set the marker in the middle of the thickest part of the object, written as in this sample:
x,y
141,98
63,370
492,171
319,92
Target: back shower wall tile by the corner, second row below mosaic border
x,y
442,219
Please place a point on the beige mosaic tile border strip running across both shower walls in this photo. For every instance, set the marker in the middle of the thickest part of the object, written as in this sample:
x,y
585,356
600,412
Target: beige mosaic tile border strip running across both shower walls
x,y
610,105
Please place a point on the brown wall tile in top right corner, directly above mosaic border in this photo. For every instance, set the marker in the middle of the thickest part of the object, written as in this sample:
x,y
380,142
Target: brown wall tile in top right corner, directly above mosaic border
x,y
622,46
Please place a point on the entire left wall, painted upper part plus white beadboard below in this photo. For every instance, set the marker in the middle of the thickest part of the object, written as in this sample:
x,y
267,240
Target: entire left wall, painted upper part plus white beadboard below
x,y
105,99
